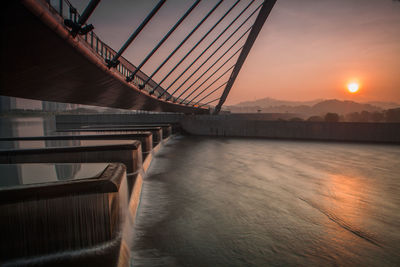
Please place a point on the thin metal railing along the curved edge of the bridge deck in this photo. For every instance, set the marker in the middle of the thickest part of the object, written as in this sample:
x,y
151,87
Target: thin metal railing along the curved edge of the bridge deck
x,y
67,11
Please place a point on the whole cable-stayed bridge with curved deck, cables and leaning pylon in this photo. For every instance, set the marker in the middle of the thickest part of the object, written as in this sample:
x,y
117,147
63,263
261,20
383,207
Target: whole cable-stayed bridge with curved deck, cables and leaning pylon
x,y
51,53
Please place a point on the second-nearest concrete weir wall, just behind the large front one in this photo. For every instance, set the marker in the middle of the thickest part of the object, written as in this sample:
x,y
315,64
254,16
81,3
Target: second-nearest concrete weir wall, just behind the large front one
x,y
127,152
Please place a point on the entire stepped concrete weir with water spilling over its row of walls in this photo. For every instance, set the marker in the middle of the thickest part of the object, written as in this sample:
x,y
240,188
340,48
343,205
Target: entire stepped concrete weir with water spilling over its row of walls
x,y
76,213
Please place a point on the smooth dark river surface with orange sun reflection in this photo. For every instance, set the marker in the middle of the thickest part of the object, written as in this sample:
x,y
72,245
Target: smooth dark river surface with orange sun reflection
x,y
247,202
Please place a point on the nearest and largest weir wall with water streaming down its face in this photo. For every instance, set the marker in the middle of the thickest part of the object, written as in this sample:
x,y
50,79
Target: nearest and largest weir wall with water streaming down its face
x,y
65,223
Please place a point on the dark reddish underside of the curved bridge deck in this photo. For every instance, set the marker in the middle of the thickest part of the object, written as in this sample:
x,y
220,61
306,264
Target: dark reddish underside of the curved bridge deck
x,y
40,60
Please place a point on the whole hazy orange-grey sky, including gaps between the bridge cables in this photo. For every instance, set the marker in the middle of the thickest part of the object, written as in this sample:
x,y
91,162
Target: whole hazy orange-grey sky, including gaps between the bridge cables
x,y
307,49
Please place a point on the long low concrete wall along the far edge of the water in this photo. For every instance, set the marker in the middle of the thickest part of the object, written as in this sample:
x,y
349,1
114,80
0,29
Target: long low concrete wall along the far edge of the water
x,y
250,125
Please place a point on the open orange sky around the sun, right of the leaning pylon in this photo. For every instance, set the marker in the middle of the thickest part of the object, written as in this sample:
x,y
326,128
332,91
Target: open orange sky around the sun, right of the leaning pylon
x,y
310,50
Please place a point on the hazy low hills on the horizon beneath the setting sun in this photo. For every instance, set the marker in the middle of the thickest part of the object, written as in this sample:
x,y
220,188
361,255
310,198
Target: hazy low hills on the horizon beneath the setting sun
x,y
306,108
